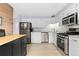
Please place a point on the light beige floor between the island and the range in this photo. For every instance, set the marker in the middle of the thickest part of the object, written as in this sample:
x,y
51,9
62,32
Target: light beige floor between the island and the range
x,y
43,49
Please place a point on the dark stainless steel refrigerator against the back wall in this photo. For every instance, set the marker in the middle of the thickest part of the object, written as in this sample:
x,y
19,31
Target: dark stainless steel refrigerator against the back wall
x,y
26,28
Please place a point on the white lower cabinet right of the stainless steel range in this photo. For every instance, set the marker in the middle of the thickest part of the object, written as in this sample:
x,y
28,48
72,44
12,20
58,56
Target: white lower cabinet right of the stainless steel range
x,y
73,47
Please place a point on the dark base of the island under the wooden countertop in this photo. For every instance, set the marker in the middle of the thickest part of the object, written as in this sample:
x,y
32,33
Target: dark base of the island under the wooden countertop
x,y
14,48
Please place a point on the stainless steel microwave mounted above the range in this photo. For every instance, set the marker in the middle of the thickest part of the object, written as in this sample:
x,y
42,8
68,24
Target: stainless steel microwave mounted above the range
x,y
70,19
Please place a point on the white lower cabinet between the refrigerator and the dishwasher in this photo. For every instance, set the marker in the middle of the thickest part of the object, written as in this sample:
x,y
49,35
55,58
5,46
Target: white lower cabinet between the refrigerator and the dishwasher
x,y
36,37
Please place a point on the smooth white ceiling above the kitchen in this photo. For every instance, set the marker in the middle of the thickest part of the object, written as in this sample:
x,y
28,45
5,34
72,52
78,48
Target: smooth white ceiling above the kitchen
x,y
37,9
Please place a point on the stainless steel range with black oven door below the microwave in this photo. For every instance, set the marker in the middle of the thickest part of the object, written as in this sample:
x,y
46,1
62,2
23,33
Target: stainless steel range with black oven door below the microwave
x,y
63,42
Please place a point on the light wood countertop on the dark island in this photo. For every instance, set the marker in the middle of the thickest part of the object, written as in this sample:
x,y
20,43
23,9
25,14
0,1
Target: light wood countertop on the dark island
x,y
9,38
